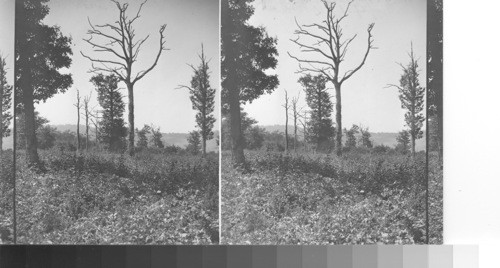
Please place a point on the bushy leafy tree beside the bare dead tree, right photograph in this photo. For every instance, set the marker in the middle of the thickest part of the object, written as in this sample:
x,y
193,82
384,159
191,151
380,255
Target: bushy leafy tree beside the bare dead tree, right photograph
x,y
320,127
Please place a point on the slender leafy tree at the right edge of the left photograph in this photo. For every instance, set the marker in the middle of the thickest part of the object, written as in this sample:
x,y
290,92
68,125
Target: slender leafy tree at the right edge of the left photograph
x,y
203,100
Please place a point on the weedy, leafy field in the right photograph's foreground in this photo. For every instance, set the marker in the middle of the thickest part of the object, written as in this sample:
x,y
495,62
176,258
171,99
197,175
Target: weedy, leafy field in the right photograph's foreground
x,y
361,198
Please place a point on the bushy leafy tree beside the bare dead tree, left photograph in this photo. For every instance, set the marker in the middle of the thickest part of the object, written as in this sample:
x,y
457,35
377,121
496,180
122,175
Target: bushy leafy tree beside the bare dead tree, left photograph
x,y
112,131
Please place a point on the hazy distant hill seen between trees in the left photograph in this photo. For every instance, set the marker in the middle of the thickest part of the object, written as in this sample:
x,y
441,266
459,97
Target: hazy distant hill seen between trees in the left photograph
x,y
178,139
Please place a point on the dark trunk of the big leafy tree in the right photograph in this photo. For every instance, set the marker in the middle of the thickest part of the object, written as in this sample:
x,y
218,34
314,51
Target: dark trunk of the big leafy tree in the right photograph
x,y
236,133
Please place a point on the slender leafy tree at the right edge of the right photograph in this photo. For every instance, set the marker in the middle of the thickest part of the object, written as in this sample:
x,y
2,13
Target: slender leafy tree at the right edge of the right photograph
x,y
412,97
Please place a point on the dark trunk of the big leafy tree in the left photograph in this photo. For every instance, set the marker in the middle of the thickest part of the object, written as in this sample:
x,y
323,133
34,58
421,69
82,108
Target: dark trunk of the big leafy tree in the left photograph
x,y
30,129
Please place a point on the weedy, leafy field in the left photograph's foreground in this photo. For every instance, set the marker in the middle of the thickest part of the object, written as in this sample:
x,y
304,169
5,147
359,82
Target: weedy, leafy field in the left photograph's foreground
x,y
104,198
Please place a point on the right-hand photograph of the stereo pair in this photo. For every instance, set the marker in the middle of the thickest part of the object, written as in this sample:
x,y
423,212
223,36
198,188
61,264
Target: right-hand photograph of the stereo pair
x,y
324,123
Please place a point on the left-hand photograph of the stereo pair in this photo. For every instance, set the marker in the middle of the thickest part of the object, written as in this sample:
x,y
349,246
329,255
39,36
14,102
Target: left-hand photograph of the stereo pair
x,y
117,107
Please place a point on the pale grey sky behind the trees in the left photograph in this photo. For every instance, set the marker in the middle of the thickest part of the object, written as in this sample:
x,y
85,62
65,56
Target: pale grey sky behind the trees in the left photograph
x,y
157,101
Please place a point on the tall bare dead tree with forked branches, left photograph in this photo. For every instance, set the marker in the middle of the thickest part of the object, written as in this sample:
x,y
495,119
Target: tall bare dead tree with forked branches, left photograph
x,y
122,45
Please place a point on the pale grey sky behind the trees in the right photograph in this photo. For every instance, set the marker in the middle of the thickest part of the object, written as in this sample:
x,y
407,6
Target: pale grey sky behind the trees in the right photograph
x,y
365,99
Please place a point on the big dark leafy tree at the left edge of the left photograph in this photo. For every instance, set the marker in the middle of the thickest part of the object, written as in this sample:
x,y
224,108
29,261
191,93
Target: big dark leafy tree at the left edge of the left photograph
x,y
40,51
